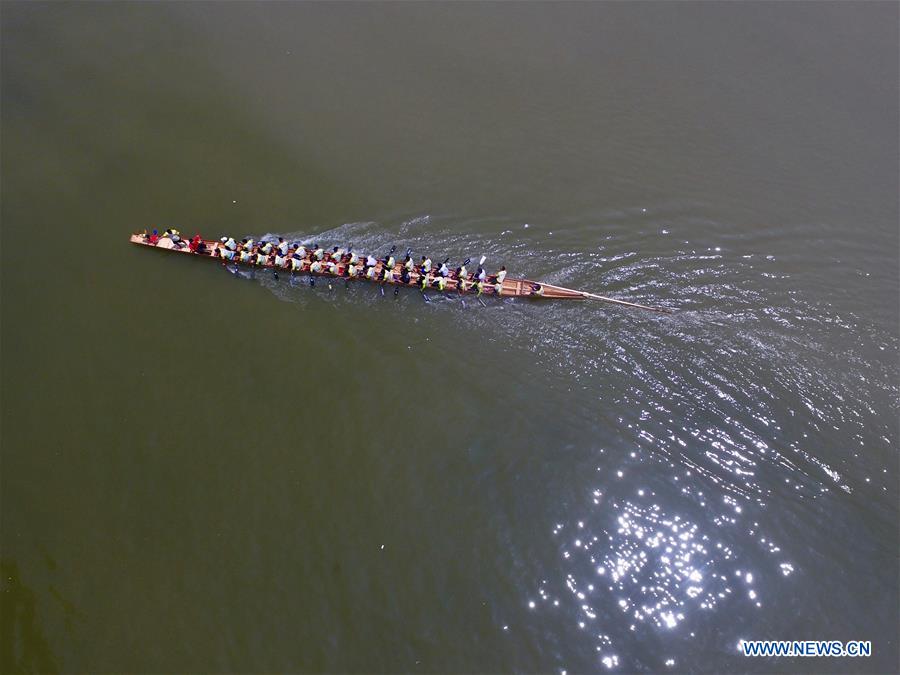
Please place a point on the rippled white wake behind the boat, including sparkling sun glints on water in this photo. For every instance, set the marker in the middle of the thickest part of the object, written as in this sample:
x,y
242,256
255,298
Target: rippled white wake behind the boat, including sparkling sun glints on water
x,y
696,435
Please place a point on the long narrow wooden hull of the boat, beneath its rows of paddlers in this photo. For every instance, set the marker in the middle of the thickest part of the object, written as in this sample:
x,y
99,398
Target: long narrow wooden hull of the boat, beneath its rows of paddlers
x,y
511,287
